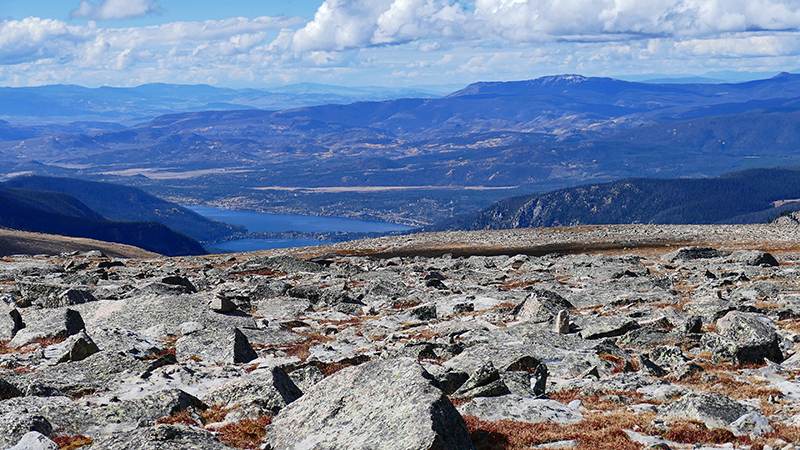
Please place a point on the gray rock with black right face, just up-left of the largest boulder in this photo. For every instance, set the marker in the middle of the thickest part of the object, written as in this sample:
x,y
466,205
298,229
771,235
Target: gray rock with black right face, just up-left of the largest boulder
x,y
272,389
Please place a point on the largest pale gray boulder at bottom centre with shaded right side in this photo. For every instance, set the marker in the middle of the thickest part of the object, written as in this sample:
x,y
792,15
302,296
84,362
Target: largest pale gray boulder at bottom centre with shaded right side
x,y
388,404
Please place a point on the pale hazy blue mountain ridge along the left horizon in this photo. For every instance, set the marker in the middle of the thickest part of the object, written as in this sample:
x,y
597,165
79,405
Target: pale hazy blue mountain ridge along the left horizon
x,y
130,105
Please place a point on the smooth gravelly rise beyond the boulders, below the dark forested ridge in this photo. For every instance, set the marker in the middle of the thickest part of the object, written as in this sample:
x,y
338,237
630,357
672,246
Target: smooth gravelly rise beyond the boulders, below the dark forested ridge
x,y
644,240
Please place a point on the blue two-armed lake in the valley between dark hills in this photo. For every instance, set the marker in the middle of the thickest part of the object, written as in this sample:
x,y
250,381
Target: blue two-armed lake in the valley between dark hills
x,y
257,222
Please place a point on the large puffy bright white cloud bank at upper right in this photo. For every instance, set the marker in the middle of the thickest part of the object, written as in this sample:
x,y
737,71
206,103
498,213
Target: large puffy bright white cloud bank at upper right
x,y
343,24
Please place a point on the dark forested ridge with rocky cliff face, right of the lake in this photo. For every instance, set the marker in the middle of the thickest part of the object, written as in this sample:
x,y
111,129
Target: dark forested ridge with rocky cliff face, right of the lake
x,y
740,197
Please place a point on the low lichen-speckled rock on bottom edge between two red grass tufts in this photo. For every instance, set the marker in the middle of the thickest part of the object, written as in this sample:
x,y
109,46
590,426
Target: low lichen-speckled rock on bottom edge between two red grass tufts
x,y
160,437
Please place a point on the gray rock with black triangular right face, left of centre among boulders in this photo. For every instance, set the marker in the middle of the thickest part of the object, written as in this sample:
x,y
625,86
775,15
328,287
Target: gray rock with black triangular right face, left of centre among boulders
x,y
222,346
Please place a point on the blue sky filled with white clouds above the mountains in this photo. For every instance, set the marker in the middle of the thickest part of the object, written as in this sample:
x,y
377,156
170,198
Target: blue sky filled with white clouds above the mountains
x,y
397,43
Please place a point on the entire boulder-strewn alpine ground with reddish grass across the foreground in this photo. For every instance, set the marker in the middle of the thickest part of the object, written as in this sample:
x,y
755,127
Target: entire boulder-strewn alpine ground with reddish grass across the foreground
x,y
622,337
